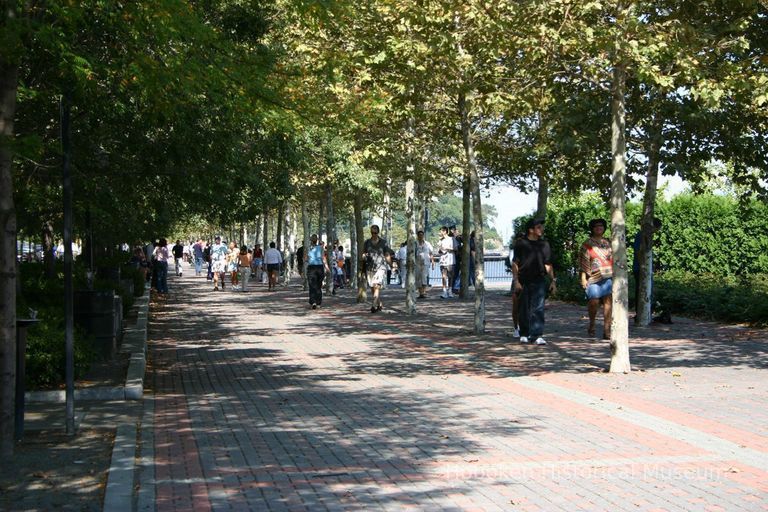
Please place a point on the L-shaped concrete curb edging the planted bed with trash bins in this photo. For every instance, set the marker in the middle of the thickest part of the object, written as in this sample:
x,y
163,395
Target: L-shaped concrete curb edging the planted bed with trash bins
x,y
135,344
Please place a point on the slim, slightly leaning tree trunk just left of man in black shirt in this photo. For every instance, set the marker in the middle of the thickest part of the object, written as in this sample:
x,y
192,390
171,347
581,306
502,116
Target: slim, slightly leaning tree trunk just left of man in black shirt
x,y
477,216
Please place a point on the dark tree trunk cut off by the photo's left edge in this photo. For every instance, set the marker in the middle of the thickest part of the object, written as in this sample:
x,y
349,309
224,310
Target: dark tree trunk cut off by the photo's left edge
x,y
8,87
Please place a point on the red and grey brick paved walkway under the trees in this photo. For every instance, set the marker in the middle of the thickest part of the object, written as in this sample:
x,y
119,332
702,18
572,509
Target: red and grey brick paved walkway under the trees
x,y
262,404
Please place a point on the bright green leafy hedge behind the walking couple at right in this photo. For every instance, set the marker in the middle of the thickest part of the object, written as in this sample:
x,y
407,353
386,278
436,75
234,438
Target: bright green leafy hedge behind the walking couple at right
x,y
711,255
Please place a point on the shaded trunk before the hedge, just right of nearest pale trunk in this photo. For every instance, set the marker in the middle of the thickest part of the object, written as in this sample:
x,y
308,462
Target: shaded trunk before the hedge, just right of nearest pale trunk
x,y
645,251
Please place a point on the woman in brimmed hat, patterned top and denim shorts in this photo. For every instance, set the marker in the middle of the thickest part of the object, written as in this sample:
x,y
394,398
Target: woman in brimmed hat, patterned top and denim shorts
x,y
596,263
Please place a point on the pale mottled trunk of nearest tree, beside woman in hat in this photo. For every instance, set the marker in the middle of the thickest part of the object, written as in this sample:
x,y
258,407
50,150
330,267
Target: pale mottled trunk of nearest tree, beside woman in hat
x,y
619,324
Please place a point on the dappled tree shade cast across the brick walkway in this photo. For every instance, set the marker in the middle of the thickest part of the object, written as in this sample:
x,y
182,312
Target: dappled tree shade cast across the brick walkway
x,y
261,400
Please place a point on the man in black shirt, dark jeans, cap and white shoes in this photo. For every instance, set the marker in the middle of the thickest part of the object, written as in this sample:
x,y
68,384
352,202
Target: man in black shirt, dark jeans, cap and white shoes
x,y
530,267
